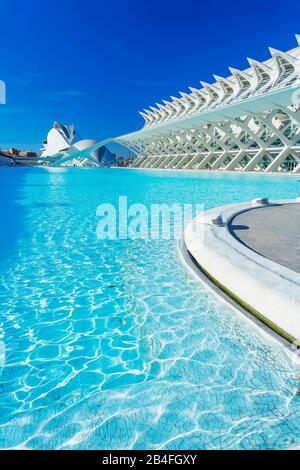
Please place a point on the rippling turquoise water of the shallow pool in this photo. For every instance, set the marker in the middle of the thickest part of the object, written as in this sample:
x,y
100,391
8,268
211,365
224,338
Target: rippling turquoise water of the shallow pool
x,y
112,344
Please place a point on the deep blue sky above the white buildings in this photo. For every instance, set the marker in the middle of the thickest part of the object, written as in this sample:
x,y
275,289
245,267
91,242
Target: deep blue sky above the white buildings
x,y
97,63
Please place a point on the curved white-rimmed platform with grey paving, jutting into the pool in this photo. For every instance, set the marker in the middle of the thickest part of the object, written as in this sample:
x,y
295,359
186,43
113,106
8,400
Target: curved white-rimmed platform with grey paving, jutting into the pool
x,y
246,252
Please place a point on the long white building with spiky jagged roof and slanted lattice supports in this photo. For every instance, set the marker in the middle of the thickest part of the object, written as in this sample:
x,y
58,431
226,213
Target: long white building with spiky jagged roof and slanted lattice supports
x,y
248,121
